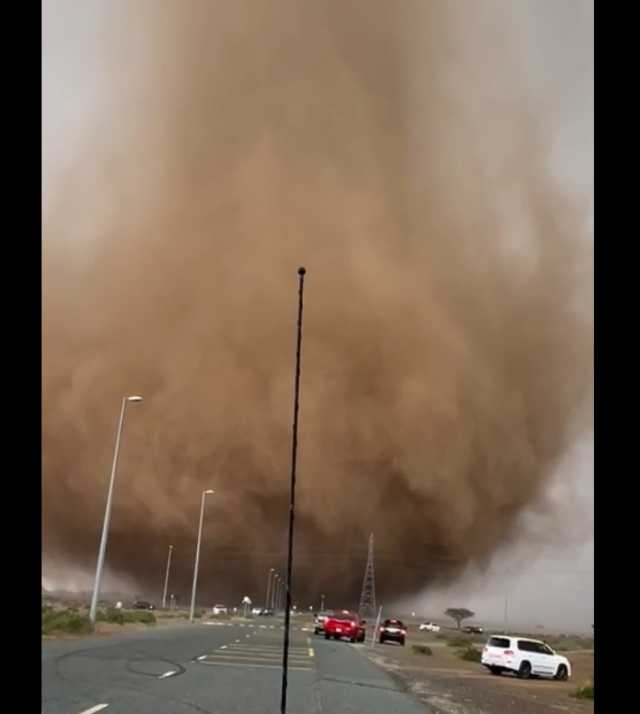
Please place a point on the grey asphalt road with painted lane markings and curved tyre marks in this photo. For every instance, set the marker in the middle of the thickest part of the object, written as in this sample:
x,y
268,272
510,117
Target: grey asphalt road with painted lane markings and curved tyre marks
x,y
214,669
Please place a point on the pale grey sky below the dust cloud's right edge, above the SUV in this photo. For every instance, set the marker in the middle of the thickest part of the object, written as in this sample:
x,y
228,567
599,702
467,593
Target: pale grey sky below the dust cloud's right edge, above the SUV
x,y
547,576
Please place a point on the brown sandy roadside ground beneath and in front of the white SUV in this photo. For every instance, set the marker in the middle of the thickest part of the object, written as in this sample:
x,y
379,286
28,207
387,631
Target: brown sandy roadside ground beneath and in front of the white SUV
x,y
453,686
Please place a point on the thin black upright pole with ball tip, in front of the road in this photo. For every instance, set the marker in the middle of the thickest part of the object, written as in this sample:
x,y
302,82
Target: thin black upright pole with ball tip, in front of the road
x,y
292,496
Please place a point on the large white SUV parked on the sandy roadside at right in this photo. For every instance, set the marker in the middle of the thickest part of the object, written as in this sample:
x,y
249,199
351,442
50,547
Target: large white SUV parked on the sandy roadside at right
x,y
525,657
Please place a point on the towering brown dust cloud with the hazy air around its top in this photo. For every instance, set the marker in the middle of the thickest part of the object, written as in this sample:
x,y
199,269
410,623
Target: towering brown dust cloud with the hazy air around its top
x,y
195,154
